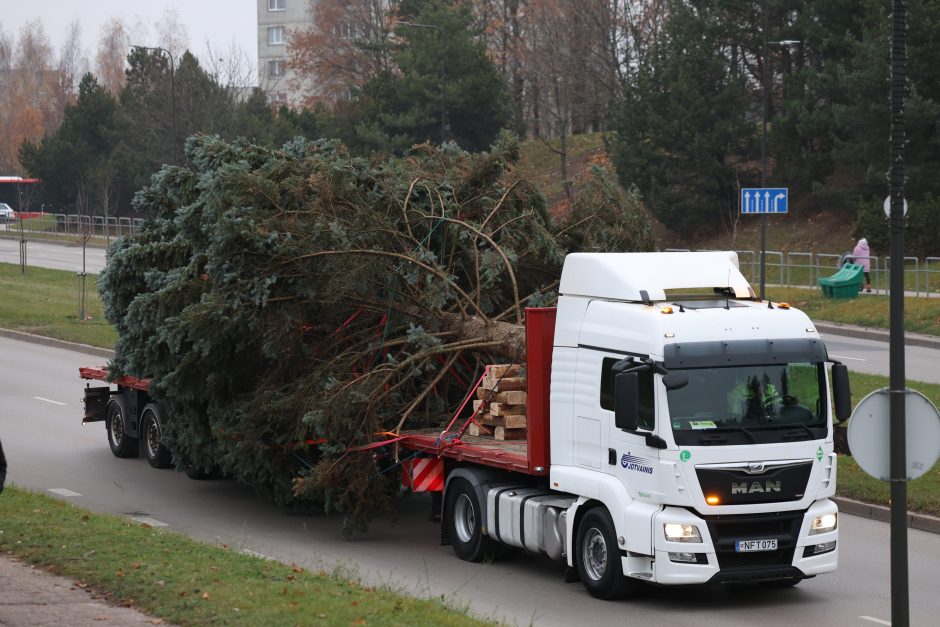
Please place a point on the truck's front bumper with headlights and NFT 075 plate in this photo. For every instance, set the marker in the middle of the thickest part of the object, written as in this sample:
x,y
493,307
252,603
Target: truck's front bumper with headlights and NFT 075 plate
x,y
720,558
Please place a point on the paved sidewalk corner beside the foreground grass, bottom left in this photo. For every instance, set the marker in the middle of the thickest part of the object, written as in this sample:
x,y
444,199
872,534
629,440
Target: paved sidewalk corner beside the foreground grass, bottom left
x,y
30,596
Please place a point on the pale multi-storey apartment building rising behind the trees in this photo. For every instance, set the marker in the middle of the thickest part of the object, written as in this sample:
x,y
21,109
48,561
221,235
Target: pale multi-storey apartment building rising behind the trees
x,y
275,19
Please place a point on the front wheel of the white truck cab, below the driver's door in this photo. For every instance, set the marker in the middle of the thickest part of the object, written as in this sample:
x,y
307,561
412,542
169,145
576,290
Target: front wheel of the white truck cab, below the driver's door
x,y
597,557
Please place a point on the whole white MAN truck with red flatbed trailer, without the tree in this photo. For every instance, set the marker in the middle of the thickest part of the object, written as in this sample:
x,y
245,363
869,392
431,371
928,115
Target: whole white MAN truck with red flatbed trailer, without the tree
x,y
679,430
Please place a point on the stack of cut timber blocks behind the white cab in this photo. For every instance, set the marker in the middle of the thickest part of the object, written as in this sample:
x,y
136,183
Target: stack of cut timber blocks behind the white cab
x,y
500,405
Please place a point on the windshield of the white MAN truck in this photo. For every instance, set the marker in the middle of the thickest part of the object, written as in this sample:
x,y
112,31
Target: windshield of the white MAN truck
x,y
750,404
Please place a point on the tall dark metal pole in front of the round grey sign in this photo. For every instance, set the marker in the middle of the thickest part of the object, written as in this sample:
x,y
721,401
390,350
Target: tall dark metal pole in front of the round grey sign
x,y
900,611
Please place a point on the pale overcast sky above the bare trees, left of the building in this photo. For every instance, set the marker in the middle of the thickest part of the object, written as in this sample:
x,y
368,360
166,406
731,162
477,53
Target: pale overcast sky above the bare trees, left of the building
x,y
218,22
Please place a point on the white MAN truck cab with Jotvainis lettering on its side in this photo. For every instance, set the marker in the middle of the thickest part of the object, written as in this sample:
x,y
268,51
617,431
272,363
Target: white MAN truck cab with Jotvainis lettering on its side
x,y
697,416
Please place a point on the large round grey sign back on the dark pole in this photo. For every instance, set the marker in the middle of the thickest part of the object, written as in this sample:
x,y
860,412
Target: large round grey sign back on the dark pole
x,y
870,435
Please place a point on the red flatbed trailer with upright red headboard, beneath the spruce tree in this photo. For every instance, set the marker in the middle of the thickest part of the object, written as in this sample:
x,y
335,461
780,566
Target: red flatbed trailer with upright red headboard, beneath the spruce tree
x,y
529,456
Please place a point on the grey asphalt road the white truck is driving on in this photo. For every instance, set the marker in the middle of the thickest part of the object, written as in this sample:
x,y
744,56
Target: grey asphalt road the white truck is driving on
x,y
50,451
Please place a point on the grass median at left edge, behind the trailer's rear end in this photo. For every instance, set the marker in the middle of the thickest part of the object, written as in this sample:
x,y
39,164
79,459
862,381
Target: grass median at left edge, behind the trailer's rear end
x,y
46,302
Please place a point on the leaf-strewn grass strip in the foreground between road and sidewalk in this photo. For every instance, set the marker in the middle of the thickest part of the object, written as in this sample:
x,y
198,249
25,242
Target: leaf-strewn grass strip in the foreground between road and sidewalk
x,y
174,578
